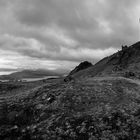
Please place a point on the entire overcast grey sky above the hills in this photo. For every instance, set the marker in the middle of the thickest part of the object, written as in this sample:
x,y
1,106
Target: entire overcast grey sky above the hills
x,y
59,34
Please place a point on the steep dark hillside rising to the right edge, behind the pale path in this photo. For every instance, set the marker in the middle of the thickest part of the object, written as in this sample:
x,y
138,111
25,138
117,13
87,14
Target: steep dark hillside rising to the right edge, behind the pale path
x,y
125,62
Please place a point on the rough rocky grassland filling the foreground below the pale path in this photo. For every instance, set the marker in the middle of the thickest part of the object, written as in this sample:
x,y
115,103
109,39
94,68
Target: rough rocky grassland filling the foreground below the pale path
x,y
93,109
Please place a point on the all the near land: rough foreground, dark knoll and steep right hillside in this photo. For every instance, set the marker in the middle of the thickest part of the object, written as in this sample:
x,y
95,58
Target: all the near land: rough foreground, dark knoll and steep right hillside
x,y
94,102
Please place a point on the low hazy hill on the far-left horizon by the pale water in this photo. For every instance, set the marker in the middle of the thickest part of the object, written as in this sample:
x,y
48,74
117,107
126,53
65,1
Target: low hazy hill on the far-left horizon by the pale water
x,y
39,73
